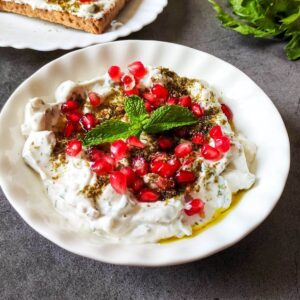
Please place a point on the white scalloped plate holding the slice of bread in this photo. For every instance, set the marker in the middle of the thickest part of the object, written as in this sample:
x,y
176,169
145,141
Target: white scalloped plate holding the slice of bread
x,y
23,32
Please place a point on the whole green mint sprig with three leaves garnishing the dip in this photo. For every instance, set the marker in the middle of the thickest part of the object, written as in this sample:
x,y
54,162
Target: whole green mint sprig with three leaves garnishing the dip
x,y
162,119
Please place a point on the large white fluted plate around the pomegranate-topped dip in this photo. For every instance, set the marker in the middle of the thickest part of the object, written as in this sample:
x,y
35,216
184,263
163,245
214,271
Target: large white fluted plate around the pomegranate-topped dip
x,y
254,114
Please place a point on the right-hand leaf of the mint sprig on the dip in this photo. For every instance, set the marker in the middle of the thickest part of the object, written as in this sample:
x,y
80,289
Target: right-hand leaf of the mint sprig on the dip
x,y
168,117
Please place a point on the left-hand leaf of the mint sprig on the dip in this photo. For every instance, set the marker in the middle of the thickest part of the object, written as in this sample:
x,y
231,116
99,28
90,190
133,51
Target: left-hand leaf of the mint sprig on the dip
x,y
109,131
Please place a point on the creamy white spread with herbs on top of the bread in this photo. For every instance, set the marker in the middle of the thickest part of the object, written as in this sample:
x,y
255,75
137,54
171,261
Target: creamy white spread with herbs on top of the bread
x,y
94,9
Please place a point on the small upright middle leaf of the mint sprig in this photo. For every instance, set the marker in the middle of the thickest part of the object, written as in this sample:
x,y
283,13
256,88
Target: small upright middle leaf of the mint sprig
x,y
135,108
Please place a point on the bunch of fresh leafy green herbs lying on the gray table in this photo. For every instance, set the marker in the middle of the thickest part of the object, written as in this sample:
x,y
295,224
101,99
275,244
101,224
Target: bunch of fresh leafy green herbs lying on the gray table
x,y
265,18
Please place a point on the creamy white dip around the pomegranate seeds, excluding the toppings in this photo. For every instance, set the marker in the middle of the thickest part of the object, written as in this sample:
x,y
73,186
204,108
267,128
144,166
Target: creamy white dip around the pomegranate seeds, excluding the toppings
x,y
121,217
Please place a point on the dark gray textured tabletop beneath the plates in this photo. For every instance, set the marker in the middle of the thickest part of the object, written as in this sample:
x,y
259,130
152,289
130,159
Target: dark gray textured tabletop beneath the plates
x,y
264,265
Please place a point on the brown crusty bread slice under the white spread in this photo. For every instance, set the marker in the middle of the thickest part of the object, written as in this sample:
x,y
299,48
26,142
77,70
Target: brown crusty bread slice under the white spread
x,y
65,18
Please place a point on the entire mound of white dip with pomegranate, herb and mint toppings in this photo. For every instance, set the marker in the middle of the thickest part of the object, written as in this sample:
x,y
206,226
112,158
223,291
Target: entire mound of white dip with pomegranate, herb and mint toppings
x,y
143,187
